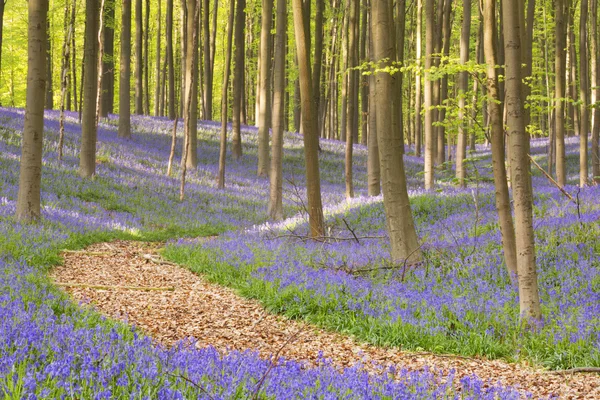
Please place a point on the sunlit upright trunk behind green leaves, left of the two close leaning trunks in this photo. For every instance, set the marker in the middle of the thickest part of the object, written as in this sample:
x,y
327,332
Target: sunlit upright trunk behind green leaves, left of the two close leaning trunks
x,y
463,84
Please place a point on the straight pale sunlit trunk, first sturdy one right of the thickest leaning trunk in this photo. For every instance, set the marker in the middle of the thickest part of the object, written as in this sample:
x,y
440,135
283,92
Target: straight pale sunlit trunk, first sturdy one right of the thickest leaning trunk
x,y
429,136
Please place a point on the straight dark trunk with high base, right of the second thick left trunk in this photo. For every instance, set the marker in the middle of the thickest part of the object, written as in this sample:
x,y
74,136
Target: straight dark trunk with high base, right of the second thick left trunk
x,y
125,72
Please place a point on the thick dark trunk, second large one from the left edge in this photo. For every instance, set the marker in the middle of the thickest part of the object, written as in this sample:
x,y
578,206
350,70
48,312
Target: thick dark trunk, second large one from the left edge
x,y
87,156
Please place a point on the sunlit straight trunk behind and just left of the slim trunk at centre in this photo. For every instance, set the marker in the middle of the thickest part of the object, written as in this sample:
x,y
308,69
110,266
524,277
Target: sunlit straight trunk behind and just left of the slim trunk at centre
x,y
264,117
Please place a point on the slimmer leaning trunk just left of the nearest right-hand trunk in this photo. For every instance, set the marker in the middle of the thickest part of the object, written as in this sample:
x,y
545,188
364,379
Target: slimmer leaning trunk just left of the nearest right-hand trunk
x,y
505,220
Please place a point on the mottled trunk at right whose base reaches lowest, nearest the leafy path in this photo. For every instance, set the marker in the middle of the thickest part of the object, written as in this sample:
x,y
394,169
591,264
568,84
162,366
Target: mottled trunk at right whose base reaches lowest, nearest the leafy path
x,y
529,302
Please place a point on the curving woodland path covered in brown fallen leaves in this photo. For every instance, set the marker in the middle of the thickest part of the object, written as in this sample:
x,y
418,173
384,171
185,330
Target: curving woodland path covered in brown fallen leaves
x,y
129,281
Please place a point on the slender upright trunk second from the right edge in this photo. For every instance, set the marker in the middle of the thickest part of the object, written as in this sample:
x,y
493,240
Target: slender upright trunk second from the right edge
x,y
583,94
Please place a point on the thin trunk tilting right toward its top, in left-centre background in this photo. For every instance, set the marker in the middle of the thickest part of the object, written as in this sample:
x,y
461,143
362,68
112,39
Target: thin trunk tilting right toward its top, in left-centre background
x,y
224,93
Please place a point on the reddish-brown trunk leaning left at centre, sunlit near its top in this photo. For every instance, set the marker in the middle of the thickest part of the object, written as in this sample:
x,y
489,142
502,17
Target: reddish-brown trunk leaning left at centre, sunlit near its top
x,y
309,124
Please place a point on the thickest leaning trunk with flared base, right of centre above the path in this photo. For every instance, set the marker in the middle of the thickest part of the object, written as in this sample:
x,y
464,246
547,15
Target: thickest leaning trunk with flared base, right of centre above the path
x,y
401,229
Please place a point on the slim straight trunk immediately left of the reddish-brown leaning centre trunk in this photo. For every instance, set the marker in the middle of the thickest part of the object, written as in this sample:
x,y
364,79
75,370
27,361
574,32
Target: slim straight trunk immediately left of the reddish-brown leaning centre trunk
x,y
276,183
